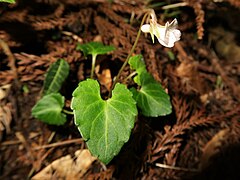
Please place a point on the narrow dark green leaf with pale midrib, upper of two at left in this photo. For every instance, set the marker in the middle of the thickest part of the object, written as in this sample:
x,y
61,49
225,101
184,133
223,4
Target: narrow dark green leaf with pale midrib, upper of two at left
x,y
56,75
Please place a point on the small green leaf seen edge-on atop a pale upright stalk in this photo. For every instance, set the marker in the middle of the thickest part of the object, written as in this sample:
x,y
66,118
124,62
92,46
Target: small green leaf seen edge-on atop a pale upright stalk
x,y
94,48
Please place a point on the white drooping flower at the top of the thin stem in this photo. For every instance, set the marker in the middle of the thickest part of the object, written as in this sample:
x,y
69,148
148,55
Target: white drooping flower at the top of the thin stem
x,y
167,35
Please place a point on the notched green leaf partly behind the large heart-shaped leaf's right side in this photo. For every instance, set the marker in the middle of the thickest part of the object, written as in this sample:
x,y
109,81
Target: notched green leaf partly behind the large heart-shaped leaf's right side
x,y
151,98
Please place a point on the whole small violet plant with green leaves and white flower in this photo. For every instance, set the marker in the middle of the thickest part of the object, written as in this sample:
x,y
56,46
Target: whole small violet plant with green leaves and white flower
x,y
106,125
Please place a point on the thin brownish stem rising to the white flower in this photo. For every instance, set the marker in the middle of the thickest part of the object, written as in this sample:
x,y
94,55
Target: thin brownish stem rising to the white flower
x,y
129,55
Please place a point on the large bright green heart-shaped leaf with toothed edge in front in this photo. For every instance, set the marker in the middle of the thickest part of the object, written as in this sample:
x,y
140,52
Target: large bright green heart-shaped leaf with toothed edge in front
x,y
105,124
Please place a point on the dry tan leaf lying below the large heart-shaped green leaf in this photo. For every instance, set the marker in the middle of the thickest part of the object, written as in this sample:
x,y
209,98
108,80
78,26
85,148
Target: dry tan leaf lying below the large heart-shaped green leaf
x,y
67,167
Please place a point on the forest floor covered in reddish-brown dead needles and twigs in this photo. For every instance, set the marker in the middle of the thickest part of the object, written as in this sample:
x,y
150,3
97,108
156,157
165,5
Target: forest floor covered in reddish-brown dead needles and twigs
x,y
200,139
